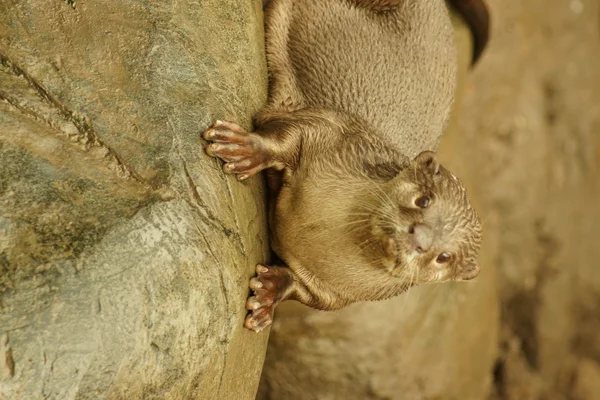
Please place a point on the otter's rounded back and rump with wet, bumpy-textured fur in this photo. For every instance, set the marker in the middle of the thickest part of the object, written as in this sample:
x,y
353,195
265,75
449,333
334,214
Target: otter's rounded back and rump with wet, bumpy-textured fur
x,y
345,56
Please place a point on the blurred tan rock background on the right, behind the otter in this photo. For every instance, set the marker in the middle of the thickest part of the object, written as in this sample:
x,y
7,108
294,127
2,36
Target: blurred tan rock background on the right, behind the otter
x,y
525,140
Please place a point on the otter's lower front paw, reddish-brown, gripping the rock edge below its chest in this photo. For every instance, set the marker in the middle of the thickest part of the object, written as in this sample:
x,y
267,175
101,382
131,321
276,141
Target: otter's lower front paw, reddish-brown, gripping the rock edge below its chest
x,y
272,285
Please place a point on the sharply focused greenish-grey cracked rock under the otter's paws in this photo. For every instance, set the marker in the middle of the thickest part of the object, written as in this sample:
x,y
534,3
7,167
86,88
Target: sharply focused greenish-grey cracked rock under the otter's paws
x,y
124,251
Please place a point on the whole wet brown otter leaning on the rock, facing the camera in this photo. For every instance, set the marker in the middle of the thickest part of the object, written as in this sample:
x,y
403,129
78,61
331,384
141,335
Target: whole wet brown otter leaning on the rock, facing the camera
x,y
359,206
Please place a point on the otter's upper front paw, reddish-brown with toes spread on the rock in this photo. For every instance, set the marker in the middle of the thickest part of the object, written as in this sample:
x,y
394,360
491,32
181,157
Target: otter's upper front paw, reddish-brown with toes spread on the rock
x,y
244,152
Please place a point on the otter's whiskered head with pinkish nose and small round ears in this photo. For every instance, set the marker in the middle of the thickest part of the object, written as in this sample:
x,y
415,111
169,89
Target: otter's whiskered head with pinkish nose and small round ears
x,y
427,228
